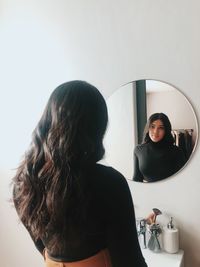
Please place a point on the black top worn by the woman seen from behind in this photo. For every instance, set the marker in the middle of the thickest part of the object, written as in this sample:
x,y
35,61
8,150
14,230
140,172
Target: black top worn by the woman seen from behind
x,y
110,223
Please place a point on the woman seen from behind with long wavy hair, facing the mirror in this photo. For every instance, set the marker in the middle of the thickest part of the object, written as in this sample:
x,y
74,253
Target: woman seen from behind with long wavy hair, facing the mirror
x,y
78,213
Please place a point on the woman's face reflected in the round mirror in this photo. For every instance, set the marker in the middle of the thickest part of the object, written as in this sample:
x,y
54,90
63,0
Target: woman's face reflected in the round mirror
x,y
156,131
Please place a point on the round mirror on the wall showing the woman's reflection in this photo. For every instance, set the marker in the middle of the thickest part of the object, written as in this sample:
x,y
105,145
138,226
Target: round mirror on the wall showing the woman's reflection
x,y
152,130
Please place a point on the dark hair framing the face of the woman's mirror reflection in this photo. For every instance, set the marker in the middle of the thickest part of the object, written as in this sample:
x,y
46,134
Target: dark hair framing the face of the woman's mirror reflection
x,y
168,138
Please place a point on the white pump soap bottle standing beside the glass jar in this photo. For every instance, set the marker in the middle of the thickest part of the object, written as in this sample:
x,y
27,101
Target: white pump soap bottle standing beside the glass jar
x,y
170,238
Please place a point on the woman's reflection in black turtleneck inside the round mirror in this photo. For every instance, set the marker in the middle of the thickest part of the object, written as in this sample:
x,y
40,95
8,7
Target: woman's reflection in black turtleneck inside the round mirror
x,y
157,157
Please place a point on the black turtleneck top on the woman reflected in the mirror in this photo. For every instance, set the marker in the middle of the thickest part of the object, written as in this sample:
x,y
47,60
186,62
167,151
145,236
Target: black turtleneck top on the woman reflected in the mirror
x,y
156,161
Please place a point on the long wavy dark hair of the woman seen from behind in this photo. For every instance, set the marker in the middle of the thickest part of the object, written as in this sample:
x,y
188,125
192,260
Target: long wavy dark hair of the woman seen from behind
x,y
49,183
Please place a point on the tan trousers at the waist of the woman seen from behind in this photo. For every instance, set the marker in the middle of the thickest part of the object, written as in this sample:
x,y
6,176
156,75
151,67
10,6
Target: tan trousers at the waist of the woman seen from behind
x,y
101,259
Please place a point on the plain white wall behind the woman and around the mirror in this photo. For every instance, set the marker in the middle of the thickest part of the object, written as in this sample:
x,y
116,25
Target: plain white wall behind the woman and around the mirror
x,y
107,43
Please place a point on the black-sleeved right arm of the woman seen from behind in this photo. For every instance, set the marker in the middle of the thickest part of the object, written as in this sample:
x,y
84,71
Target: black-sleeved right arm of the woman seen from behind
x,y
122,239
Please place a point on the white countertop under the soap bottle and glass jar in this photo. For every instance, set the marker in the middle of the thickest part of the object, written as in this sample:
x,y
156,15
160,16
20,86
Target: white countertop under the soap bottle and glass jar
x,y
163,259
